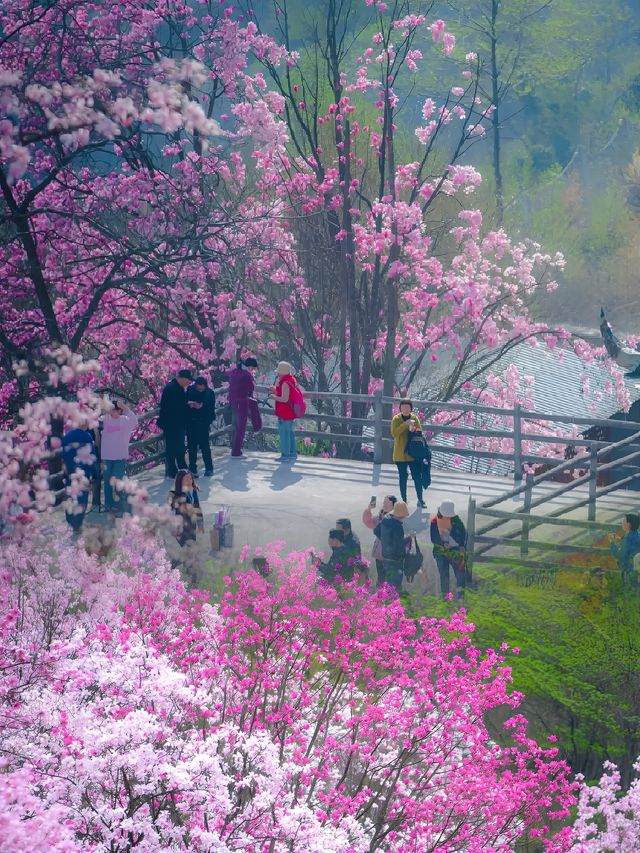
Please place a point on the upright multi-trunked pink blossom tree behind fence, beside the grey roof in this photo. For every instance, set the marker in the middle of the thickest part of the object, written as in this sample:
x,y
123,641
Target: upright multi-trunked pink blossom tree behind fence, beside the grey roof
x,y
407,289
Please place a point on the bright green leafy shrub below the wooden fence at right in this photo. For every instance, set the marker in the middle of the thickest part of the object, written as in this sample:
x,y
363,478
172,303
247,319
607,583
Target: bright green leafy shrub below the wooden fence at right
x,y
579,645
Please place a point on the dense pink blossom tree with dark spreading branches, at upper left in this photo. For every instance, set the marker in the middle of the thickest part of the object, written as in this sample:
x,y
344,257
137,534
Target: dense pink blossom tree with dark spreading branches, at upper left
x,y
126,228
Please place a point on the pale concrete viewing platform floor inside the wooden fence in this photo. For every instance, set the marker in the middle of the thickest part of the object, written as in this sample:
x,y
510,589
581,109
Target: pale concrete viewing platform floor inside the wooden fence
x,y
299,502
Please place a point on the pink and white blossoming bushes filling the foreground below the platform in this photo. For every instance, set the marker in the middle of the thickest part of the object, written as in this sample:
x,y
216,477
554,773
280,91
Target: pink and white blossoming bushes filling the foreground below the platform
x,y
137,715
